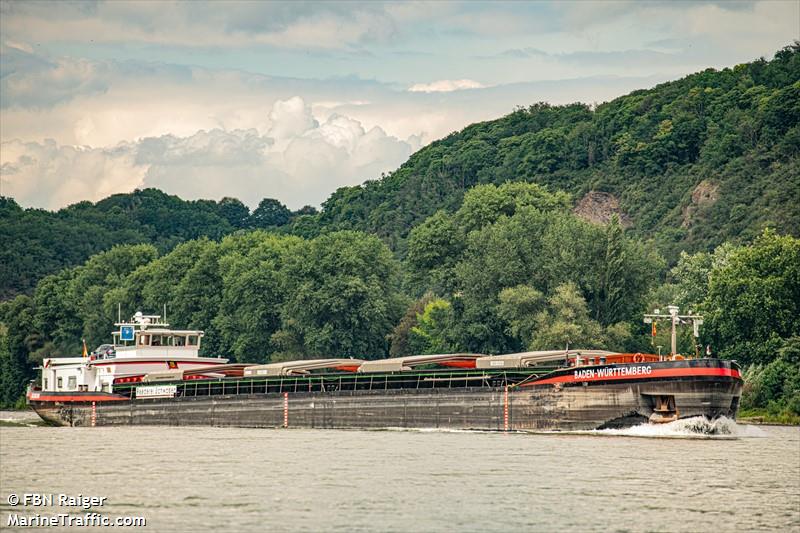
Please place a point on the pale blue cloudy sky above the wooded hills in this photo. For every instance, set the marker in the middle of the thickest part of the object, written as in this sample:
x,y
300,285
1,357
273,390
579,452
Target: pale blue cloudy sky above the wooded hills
x,y
294,100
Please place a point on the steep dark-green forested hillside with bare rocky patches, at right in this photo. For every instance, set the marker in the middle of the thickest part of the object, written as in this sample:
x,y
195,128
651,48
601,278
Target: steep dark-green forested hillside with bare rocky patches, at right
x,y
692,163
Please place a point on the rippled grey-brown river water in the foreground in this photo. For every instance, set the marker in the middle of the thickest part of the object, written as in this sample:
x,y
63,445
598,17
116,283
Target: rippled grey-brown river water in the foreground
x,y
654,478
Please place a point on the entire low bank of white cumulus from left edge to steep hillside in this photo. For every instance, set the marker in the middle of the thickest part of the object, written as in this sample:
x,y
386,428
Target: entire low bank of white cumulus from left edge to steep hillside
x,y
300,160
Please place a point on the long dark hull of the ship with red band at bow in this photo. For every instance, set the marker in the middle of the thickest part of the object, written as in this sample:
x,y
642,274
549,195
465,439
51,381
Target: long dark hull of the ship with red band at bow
x,y
563,401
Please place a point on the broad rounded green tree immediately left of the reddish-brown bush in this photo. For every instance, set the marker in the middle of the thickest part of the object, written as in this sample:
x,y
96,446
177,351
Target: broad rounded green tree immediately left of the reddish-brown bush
x,y
342,297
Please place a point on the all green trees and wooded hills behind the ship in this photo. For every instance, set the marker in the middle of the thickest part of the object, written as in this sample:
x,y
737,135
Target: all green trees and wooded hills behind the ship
x,y
491,240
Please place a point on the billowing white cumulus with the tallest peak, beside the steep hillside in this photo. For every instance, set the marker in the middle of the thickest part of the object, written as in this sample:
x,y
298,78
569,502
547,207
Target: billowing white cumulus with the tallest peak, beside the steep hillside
x,y
300,160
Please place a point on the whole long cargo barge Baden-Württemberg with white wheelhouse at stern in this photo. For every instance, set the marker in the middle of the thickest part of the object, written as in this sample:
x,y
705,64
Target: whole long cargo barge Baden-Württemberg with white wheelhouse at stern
x,y
154,375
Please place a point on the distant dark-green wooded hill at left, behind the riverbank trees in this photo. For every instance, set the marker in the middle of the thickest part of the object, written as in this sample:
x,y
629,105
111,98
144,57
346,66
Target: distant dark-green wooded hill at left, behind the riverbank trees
x,y
35,242
